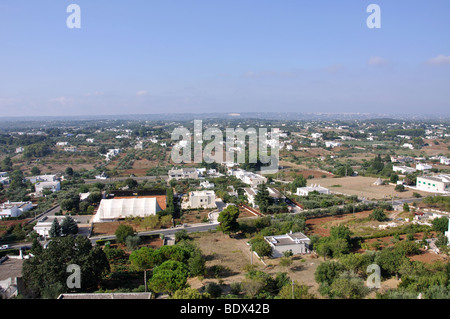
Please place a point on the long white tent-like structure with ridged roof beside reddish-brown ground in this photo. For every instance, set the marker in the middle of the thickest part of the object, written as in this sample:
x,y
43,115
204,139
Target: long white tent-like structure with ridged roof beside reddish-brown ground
x,y
119,208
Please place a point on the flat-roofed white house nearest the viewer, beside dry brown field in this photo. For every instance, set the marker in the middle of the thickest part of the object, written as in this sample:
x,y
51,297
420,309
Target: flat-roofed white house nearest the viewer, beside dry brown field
x,y
298,243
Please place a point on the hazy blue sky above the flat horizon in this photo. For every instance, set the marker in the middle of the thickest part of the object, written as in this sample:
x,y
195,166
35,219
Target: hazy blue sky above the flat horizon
x,y
177,56
